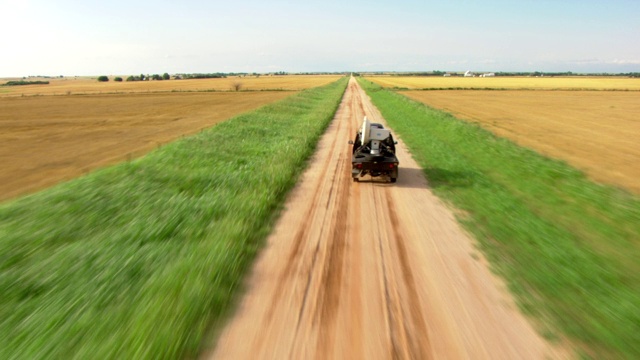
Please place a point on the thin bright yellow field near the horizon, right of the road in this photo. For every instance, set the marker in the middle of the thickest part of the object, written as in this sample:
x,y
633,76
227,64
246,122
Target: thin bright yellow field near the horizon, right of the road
x,y
542,83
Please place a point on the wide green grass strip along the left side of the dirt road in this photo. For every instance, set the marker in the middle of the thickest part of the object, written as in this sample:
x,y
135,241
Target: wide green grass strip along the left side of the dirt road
x,y
137,260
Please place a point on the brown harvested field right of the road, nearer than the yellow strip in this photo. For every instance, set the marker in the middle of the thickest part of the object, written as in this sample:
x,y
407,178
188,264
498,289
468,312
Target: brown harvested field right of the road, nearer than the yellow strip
x,y
595,131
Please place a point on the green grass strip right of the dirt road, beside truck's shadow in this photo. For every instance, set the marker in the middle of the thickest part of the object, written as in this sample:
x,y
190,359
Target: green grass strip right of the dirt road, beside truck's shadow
x,y
569,248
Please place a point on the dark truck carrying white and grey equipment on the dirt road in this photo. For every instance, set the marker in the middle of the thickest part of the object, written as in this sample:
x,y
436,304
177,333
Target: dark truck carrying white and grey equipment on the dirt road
x,y
374,152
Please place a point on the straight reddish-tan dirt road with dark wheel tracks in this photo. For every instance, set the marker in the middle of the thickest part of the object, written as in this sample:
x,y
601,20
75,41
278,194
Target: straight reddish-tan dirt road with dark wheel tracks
x,y
372,270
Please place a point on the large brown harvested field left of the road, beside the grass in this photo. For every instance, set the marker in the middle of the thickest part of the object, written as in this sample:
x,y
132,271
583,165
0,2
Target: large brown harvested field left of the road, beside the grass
x,y
47,139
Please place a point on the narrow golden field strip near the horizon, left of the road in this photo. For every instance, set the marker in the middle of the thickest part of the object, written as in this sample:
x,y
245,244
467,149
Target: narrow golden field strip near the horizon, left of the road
x,y
86,85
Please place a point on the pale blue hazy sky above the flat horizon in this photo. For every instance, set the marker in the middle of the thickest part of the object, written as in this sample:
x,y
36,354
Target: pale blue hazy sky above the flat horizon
x,y
120,37
